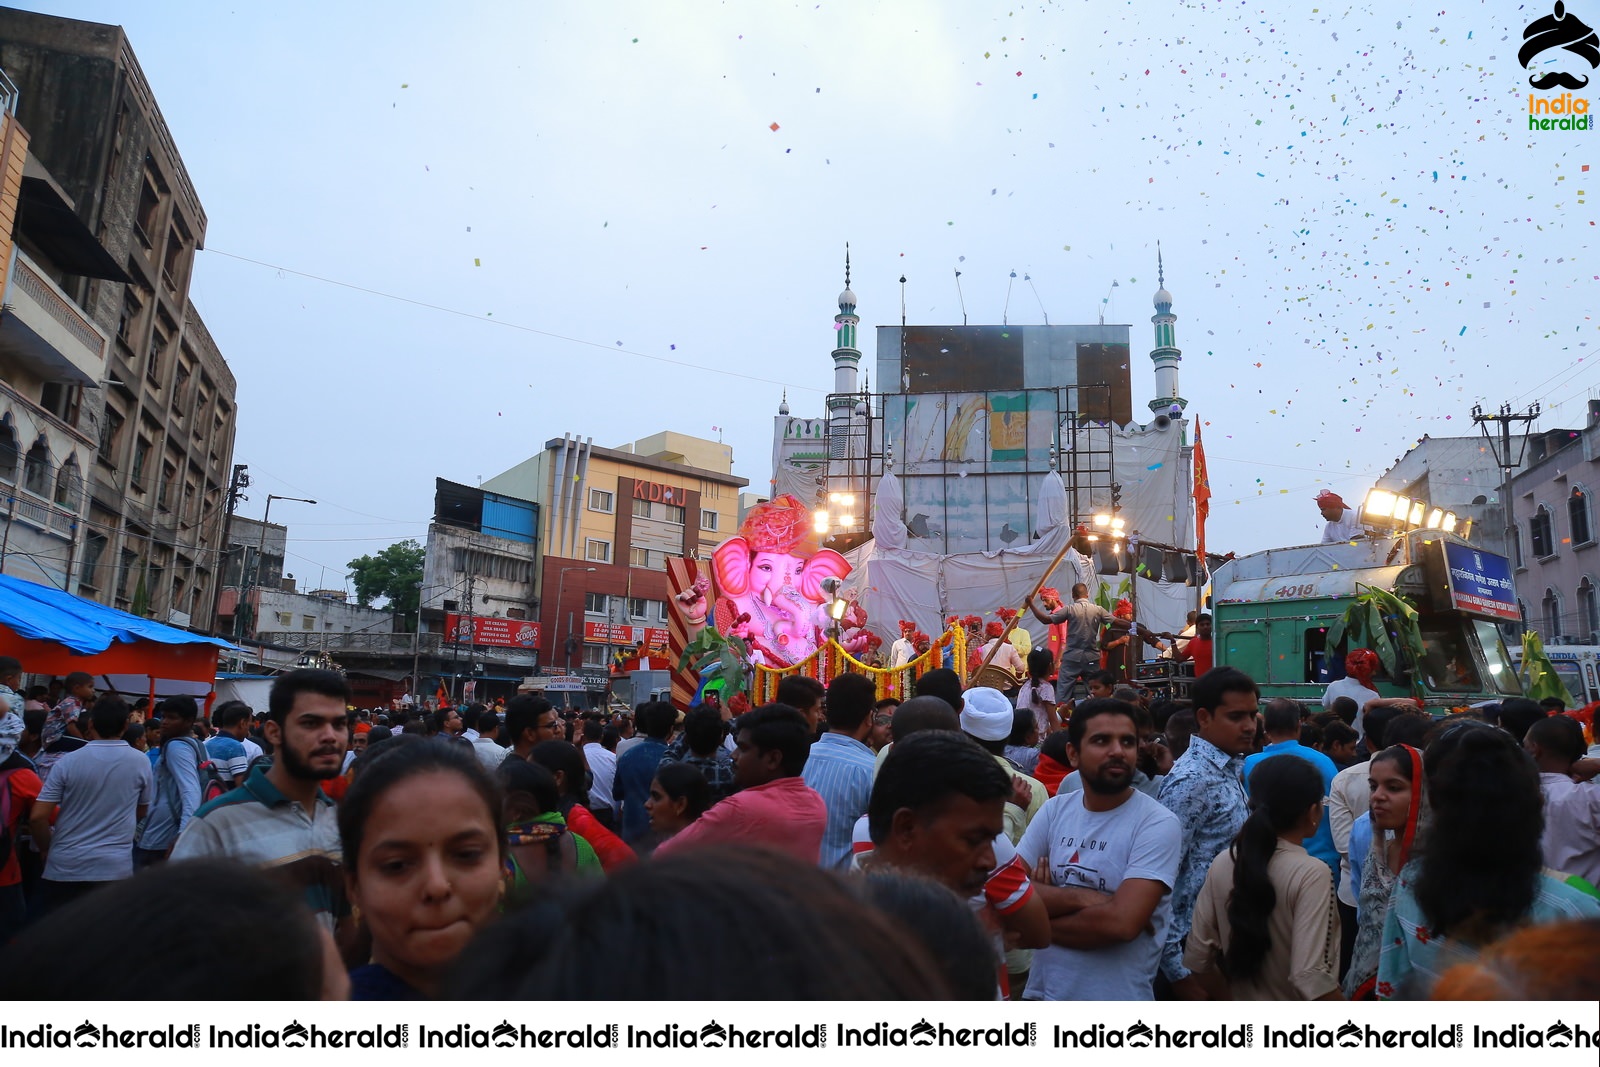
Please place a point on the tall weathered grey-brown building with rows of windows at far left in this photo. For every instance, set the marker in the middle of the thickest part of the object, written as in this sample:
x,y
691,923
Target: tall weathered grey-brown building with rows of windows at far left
x,y
156,426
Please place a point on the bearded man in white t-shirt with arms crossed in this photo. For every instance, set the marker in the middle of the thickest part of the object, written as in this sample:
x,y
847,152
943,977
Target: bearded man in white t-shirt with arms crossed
x,y
1105,861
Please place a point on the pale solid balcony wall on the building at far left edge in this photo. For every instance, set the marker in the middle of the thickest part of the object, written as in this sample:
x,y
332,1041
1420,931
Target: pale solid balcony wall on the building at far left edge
x,y
44,332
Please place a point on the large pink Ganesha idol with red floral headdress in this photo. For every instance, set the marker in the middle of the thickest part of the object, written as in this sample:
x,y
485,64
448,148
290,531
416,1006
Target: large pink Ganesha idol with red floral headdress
x,y
770,583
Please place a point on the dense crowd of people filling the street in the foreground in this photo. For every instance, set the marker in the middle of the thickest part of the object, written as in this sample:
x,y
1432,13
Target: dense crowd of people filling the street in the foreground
x,y
964,844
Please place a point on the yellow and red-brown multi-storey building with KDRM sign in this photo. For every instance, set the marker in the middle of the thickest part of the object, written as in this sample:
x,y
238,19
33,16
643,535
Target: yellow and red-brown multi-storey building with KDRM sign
x,y
612,518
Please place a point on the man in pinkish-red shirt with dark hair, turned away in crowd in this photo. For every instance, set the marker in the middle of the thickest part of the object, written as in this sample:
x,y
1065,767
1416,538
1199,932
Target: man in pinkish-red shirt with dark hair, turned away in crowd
x,y
774,807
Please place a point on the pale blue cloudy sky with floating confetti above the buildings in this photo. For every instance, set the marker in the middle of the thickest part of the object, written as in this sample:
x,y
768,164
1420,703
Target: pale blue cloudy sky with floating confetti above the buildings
x,y
444,234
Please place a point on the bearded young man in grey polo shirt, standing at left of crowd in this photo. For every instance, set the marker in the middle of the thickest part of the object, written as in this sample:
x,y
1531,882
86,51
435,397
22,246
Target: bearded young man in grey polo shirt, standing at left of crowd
x,y
281,820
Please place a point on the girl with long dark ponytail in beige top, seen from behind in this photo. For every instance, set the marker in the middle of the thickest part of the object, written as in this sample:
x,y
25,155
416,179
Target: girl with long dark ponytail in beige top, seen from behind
x,y
1266,925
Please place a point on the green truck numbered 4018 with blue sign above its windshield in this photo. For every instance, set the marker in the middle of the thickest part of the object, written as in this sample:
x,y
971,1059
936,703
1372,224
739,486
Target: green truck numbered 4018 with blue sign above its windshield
x,y
1273,610
